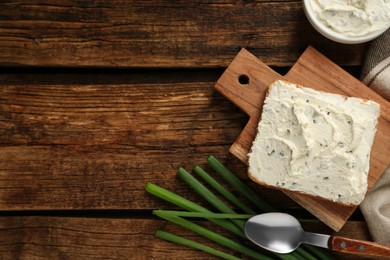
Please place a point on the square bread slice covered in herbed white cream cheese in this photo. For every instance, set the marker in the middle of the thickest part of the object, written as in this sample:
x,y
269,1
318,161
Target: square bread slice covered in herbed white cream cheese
x,y
314,142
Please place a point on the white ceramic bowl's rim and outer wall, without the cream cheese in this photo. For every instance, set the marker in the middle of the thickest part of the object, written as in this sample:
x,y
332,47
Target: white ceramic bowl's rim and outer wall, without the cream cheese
x,y
332,35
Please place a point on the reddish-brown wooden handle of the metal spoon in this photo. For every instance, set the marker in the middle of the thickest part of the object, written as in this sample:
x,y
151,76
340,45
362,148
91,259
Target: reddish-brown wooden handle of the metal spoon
x,y
353,246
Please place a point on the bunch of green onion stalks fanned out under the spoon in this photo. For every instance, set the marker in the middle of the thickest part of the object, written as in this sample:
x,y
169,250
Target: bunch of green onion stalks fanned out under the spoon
x,y
228,218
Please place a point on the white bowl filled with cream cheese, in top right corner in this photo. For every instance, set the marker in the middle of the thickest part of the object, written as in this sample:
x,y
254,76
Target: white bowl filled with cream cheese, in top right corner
x,y
349,21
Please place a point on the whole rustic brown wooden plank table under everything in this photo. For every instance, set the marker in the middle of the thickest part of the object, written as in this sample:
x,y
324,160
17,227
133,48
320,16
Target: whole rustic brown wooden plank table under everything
x,y
97,98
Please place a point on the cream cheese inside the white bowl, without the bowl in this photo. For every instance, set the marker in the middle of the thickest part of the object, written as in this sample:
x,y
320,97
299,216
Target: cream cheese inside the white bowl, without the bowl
x,y
353,17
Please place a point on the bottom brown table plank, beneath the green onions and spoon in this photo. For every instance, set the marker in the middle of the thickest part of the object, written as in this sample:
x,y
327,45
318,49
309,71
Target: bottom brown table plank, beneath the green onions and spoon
x,y
106,238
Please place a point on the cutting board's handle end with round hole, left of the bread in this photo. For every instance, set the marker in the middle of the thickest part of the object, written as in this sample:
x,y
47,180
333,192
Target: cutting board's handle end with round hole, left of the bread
x,y
245,83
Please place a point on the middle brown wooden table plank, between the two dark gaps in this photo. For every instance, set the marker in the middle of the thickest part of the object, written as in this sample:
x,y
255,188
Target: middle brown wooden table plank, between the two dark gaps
x,y
95,146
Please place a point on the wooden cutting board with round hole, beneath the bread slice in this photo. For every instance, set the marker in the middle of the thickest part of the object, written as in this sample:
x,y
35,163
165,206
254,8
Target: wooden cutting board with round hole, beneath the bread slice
x,y
245,83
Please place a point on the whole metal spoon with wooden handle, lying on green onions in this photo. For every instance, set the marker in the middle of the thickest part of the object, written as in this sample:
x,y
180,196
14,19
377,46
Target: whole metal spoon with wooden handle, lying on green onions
x,y
282,233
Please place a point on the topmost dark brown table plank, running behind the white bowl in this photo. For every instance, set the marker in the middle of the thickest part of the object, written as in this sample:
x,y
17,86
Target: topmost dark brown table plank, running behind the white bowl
x,y
159,33
